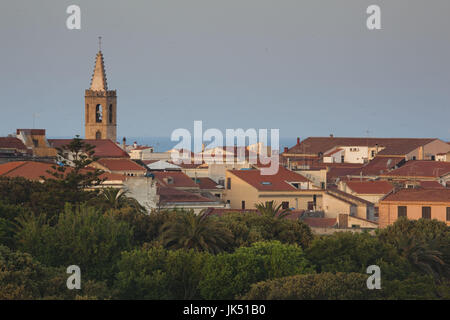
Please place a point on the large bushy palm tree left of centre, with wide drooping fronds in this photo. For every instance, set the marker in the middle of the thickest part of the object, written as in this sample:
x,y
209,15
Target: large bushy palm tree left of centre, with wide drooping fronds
x,y
199,232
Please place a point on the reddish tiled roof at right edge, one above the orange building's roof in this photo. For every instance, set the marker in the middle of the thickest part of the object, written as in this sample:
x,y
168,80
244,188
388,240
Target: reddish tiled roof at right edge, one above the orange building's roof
x,y
420,168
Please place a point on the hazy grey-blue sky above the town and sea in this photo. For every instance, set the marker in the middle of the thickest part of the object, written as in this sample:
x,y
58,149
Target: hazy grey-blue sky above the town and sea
x,y
309,68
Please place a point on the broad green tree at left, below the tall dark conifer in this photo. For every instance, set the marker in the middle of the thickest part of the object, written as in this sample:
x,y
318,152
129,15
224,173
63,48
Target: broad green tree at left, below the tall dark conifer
x,y
80,236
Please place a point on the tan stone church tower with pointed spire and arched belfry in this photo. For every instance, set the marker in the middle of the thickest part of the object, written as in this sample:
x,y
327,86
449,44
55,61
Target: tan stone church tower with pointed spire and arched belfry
x,y
100,105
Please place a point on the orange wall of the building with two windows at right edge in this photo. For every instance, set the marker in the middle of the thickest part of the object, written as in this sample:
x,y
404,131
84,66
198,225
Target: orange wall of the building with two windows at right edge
x,y
388,213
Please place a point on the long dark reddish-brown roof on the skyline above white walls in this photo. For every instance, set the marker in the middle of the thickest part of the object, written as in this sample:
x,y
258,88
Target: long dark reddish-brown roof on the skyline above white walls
x,y
393,146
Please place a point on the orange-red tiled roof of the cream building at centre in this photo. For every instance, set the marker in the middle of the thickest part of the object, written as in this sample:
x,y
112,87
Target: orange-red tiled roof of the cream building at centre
x,y
277,182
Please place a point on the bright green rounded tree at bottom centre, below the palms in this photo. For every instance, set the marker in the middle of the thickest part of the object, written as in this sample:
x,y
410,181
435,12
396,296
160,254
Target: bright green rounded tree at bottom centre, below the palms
x,y
229,275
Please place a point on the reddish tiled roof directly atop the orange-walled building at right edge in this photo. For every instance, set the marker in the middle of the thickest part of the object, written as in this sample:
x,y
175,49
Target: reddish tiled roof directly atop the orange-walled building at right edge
x,y
419,194
